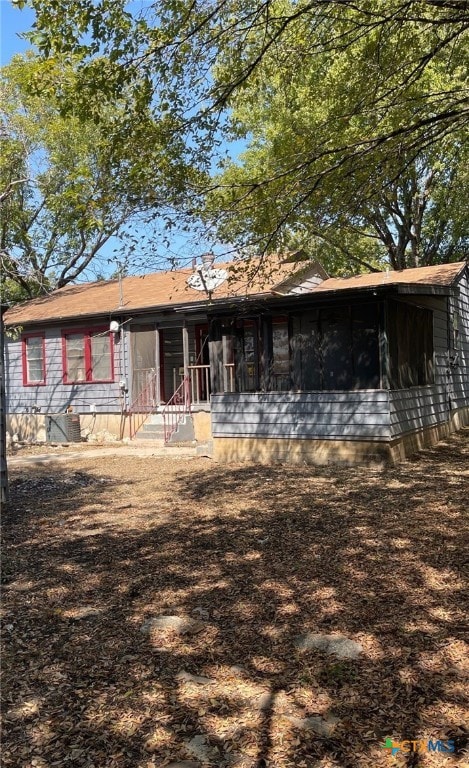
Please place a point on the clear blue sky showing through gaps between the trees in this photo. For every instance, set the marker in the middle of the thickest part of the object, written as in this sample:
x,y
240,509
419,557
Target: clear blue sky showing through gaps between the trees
x,y
184,246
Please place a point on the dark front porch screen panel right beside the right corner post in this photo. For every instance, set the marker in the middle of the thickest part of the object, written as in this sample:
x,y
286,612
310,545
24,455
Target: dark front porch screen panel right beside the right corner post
x,y
365,338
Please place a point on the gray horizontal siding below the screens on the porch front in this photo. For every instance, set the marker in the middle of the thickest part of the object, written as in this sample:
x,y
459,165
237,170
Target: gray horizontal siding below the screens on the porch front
x,y
360,415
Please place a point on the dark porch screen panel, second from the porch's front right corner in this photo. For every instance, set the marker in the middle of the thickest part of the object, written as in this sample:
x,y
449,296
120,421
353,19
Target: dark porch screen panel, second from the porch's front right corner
x,y
336,348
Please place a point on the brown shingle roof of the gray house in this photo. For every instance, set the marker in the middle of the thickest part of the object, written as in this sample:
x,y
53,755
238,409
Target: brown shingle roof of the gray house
x,y
169,289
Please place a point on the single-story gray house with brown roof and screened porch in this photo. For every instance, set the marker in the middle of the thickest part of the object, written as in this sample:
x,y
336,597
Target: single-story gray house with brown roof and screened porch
x,y
271,361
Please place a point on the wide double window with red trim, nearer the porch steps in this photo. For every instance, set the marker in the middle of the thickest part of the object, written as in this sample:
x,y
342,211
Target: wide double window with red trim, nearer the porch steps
x,y
87,356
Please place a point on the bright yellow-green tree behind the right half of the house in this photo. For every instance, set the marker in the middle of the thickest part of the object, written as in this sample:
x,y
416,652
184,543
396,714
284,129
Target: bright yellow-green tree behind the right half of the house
x,y
401,209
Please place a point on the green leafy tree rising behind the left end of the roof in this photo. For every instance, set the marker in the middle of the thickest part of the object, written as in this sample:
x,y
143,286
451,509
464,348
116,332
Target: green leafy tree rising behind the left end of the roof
x,y
69,184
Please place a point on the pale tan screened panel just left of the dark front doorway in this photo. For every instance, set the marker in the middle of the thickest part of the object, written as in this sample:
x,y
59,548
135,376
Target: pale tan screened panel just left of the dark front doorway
x,y
146,375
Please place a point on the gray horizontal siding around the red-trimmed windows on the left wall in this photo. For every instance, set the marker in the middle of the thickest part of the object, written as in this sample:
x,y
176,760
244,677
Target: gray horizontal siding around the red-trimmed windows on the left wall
x,y
55,396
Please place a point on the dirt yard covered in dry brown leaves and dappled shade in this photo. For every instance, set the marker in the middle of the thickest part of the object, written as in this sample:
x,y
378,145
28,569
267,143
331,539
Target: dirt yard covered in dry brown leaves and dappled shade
x,y
252,559
